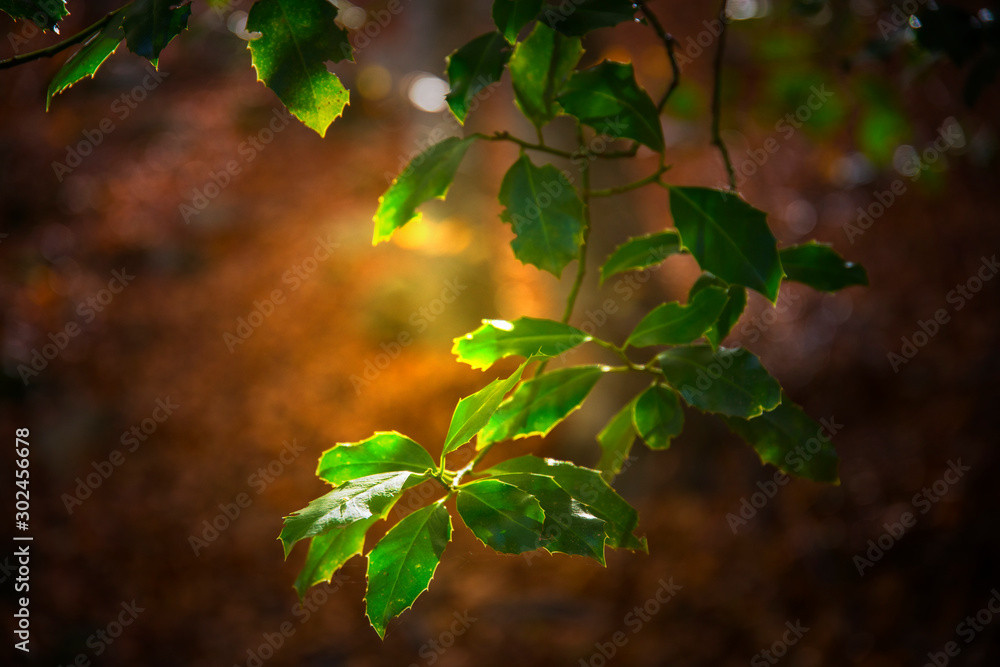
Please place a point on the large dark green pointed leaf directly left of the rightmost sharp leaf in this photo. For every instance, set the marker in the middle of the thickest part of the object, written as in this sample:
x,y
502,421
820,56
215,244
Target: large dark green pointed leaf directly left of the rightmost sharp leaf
x,y
728,237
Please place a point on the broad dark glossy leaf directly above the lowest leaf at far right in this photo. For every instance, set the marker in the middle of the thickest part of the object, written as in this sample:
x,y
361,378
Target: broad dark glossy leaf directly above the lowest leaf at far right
x,y
729,381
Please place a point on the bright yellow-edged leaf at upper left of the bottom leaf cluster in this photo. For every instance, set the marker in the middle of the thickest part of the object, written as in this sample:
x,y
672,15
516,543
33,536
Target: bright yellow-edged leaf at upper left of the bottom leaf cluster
x,y
383,452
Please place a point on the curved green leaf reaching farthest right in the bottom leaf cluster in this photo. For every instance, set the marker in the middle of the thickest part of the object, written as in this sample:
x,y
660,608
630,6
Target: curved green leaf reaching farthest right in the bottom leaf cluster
x,y
588,488
